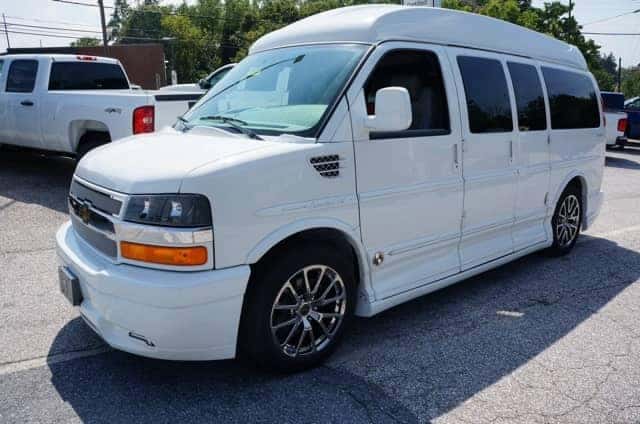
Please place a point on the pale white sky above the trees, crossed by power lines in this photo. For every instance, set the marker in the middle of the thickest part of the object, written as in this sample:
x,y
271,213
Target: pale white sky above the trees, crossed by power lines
x,y
53,14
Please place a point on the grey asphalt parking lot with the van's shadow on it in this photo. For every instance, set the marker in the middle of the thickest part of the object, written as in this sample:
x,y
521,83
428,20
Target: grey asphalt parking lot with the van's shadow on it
x,y
538,340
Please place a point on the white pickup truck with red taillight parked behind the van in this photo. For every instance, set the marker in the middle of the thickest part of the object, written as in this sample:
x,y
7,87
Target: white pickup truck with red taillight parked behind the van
x,y
71,104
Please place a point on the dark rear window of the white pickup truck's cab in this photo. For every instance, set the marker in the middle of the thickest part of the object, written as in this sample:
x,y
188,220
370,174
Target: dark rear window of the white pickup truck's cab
x,y
87,76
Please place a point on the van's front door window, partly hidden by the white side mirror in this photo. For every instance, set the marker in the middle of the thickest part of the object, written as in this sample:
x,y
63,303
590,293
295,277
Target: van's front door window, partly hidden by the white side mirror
x,y
419,72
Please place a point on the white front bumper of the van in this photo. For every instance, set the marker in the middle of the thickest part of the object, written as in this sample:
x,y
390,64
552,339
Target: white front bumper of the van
x,y
181,315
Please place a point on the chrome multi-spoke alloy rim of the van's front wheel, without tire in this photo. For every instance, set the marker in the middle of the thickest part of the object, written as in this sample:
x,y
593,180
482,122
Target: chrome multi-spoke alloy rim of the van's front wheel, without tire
x,y
308,310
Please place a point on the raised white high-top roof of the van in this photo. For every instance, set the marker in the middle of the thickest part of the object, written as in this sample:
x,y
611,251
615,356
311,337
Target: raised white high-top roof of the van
x,y
372,24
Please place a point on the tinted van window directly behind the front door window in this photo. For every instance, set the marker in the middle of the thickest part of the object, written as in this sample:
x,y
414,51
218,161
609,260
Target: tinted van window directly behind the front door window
x,y
485,87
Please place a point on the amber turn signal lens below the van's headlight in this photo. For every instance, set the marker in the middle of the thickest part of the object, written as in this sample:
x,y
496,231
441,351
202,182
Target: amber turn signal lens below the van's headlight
x,y
178,256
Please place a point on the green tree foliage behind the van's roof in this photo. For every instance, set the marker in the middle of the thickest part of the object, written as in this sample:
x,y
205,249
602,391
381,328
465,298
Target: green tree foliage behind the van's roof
x,y
201,36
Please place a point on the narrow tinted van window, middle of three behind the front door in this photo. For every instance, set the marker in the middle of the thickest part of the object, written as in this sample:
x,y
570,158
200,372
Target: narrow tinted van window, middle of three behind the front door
x,y
529,97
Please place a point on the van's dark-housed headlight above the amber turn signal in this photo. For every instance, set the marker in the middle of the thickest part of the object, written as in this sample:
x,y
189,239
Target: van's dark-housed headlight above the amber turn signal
x,y
173,210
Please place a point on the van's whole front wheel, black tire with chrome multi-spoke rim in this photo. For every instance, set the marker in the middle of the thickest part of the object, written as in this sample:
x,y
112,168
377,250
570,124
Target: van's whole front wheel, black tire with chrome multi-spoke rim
x,y
299,308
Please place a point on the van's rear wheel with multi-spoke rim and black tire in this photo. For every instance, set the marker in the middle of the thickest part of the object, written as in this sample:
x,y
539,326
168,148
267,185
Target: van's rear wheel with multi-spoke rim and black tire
x,y
566,222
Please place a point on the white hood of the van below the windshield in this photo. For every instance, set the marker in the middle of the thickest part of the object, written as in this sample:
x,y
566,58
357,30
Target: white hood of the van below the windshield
x,y
157,163
